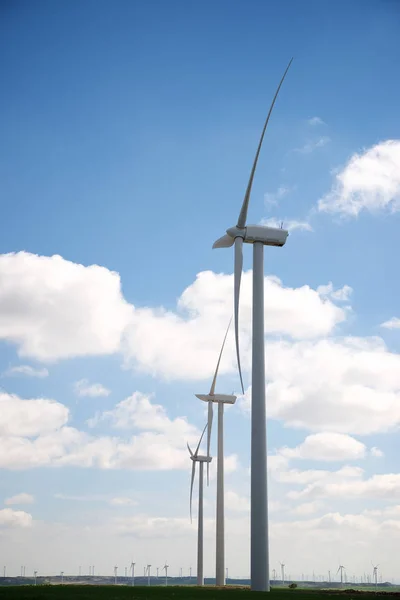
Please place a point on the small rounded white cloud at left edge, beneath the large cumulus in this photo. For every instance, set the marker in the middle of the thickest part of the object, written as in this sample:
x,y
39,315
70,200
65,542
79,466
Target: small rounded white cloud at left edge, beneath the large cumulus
x,y
28,418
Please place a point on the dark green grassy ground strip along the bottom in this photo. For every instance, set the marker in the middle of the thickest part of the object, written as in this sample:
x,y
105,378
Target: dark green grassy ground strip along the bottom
x,y
83,592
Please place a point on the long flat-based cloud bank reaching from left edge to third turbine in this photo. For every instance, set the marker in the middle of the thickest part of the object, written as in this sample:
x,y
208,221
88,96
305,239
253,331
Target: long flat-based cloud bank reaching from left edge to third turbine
x,y
160,443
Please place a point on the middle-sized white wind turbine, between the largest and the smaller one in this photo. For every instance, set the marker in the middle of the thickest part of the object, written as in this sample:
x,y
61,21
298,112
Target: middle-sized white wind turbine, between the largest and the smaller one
x,y
219,399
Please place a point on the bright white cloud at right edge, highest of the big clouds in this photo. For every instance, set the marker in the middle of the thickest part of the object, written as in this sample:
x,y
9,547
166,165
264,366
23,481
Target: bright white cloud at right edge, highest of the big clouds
x,y
370,181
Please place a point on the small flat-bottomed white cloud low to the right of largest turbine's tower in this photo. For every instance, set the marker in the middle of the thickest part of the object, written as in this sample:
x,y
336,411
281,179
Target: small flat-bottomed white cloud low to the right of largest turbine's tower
x,y
327,446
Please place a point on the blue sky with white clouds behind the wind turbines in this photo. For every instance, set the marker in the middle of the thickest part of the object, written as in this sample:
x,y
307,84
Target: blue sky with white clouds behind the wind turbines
x,y
128,131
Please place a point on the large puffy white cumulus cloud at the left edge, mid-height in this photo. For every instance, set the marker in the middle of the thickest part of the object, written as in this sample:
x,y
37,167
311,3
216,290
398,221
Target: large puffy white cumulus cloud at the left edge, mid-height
x,y
53,308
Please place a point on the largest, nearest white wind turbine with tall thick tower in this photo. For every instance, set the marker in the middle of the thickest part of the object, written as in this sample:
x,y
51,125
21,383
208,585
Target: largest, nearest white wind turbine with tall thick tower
x,y
259,236
